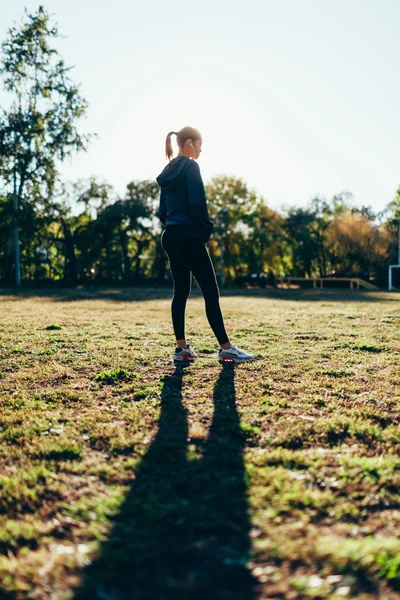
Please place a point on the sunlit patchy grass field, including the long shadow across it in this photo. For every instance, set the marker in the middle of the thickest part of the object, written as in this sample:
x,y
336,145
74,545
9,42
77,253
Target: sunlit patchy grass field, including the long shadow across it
x,y
123,478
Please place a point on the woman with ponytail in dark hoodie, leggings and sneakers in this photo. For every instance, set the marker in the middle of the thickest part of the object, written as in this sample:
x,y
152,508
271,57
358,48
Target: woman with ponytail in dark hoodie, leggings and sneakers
x,y
183,211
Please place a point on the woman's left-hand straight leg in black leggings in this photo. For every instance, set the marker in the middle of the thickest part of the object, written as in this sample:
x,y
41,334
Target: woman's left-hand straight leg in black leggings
x,y
177,252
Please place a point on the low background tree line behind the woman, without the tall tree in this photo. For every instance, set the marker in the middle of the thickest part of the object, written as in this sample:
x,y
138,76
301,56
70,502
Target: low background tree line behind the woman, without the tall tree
x,y
117,239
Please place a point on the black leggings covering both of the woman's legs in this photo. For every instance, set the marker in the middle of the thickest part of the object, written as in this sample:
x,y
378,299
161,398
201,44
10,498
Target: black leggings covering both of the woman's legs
x,y
188,255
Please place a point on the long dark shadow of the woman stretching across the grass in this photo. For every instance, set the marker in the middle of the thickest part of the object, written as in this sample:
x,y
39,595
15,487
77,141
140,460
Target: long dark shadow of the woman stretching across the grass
x,y
182,532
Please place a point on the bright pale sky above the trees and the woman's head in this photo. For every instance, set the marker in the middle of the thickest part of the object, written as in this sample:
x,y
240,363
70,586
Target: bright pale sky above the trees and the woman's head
x,y
297,97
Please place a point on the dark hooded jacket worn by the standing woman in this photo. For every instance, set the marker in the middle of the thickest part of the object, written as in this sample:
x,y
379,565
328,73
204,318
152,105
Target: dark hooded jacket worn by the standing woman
x,y
183,201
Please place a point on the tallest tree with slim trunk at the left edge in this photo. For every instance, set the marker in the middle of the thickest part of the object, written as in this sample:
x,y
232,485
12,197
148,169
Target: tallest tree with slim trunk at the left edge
x,y
39,128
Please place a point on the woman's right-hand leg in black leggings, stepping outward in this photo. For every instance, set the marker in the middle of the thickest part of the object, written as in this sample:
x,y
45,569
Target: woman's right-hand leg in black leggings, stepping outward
x,y
203,270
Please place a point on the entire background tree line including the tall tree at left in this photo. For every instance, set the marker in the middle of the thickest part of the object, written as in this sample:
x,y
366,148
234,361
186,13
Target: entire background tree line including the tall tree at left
x,y
116,239
